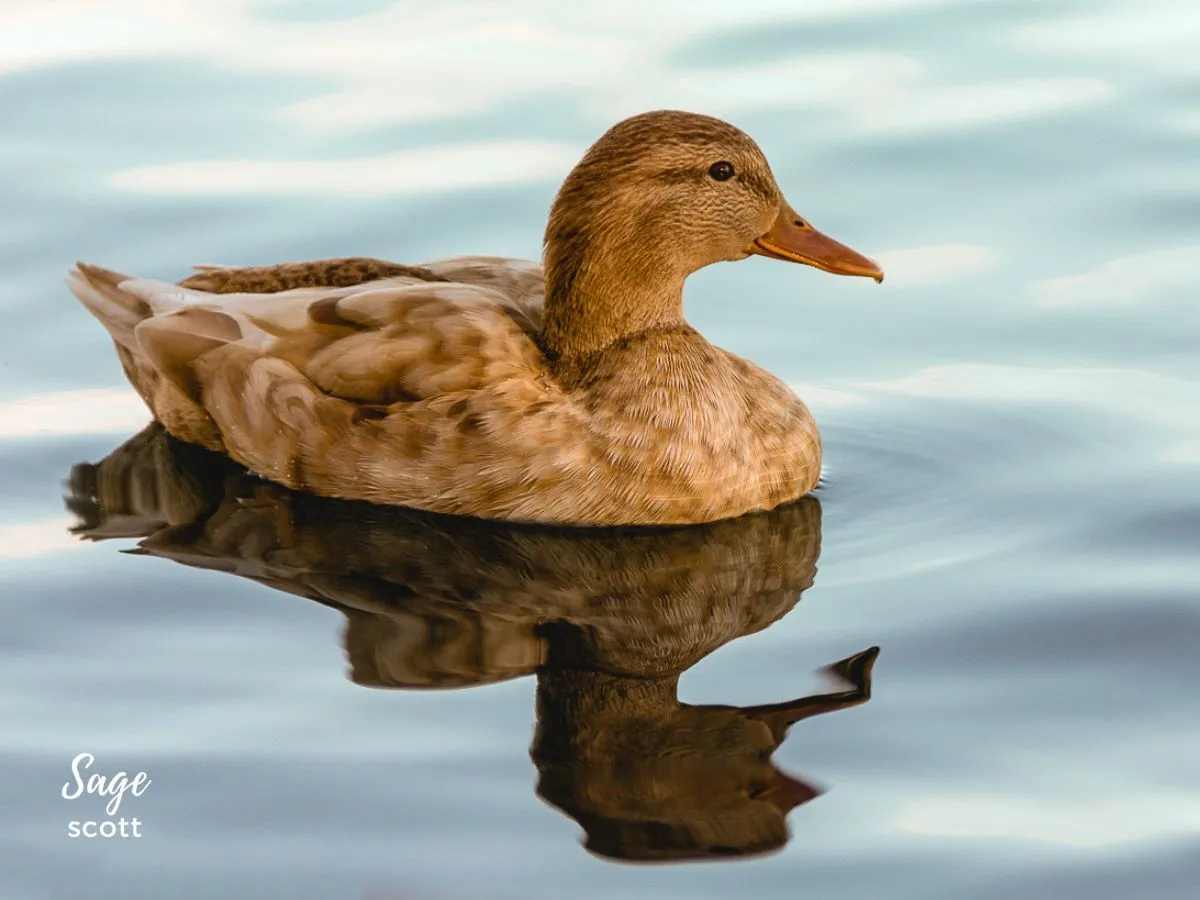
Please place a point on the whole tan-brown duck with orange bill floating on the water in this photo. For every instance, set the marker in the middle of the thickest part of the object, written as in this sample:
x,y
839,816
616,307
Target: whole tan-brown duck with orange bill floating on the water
x,y
572,393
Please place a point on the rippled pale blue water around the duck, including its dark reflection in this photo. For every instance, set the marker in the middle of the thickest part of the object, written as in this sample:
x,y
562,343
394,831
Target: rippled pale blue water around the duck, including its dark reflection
x,y
1010,509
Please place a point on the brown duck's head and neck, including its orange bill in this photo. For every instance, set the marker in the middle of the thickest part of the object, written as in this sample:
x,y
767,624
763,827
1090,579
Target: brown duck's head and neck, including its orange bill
x,y
656,199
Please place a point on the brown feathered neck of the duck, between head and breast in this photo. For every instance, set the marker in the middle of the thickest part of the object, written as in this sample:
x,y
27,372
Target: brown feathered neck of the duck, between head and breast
x,y
601,292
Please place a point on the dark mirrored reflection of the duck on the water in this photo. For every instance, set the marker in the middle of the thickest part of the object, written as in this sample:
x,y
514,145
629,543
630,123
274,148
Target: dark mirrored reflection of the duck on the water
x,y
608,621
